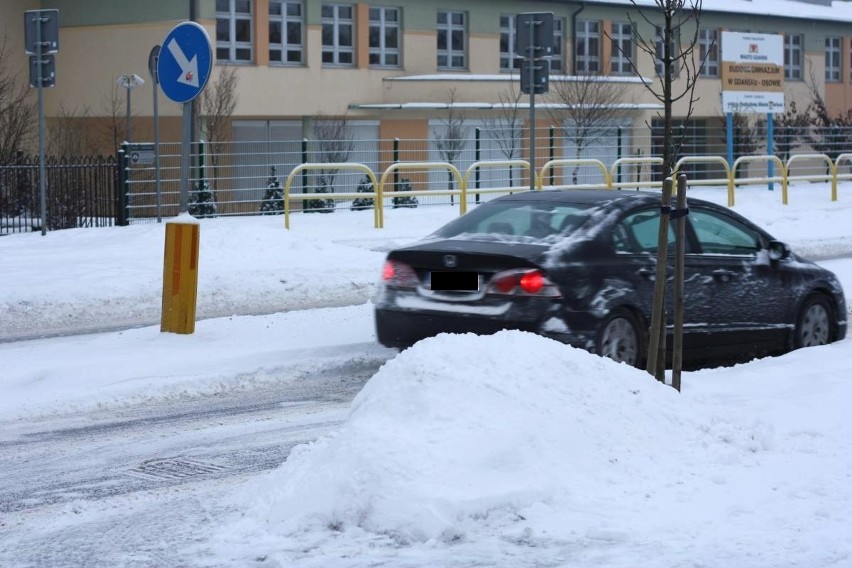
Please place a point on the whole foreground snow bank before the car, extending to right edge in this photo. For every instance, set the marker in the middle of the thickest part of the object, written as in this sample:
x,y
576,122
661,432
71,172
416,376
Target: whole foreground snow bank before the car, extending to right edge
x,y
514,450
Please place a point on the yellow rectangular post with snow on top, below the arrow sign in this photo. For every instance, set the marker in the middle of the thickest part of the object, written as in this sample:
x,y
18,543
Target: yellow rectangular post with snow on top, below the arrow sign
x,y
180,277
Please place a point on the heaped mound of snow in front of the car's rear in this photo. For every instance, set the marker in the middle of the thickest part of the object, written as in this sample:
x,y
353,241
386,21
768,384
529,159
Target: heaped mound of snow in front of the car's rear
x,y
463,435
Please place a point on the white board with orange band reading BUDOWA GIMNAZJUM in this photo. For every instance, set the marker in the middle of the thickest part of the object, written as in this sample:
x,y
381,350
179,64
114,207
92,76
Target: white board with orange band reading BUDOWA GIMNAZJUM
x,y
752,72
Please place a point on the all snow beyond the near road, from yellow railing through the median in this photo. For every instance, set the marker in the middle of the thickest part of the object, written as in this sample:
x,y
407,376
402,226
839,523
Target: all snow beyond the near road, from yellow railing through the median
x,y
251,264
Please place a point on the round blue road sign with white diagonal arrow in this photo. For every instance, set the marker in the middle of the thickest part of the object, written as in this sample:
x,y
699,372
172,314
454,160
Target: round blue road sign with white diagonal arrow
x,y
185,61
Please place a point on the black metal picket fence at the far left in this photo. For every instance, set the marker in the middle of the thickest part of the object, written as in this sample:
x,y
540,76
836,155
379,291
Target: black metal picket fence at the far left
x,y
80,192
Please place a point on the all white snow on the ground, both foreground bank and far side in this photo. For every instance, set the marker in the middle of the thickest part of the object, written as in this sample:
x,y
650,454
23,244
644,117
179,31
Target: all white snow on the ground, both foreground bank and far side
x,y
508,450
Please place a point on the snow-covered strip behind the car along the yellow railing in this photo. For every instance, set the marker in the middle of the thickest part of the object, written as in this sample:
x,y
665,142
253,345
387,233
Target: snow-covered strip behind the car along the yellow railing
x,y
96,279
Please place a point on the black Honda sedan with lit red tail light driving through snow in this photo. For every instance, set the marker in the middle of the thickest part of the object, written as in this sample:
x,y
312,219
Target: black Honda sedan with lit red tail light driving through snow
x,y
579,266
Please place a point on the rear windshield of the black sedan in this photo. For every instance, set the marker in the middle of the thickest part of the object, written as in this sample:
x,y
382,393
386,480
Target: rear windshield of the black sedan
x,y
517,221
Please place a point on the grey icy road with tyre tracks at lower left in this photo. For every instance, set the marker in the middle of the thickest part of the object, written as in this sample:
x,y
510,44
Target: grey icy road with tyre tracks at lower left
x,y
134,487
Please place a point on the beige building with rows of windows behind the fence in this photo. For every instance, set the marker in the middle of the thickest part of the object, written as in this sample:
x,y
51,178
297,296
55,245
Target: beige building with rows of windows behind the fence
x,y
400,68
